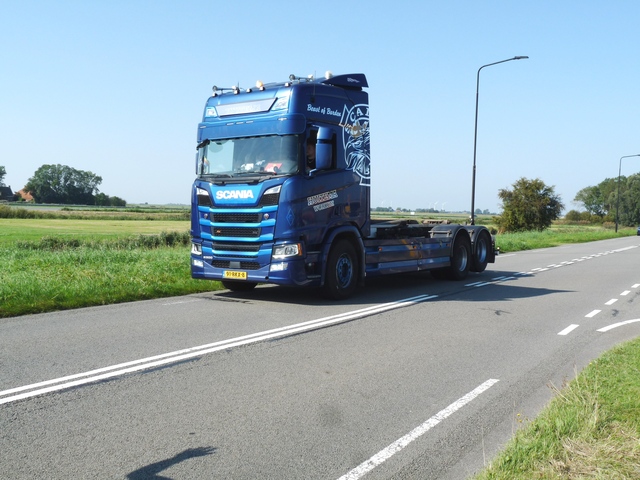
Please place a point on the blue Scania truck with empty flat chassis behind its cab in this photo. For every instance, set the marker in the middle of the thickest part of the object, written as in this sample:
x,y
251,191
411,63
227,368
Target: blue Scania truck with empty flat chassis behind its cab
x,y
282,195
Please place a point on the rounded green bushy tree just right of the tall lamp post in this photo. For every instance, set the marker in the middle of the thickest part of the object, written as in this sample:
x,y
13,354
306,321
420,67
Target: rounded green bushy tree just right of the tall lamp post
x,y
531,205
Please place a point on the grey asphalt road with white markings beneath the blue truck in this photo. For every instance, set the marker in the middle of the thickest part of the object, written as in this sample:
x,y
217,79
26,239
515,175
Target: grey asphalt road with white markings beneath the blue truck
x,y
413,378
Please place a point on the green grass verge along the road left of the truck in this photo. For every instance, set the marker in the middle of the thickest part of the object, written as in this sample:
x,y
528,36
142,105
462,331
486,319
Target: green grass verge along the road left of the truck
x,y
58,273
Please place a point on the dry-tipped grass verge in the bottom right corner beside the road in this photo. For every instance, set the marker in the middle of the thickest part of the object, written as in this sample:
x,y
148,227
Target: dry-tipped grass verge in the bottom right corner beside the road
x,y
591,429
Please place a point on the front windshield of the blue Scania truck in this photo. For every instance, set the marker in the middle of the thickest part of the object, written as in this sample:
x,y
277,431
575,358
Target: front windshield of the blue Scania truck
x,y
270,155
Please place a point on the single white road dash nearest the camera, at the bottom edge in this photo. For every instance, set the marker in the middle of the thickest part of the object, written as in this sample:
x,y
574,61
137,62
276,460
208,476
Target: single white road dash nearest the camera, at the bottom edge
x,y
402,442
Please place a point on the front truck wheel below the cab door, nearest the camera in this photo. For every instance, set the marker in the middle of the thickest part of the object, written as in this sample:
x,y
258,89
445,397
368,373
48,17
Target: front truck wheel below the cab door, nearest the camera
x,y
341,277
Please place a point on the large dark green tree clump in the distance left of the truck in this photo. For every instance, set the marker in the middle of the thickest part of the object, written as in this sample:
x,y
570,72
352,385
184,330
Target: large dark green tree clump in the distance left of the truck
x,y
63,184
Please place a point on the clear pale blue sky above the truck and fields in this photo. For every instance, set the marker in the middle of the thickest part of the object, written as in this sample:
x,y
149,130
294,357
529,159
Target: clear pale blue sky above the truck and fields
x,y
117,88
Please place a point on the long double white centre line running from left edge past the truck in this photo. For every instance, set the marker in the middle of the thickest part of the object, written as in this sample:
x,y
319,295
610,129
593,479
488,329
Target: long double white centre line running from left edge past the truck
x,y
179,355
